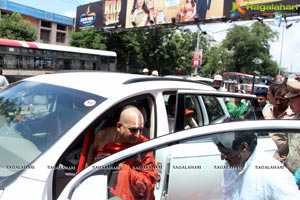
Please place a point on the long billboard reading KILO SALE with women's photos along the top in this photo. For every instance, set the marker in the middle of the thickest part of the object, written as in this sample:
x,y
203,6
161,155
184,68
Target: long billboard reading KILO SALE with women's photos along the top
x,y
110,14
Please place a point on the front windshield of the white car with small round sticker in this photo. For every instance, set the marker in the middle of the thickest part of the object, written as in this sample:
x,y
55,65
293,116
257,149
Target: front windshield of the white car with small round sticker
x,y
33,116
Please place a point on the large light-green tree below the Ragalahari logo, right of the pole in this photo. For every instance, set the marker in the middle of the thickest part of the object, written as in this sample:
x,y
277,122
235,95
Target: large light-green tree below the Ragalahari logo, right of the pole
x,y
248,43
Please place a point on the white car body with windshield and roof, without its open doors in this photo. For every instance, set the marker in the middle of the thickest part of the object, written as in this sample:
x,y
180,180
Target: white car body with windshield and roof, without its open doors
x,y
45,120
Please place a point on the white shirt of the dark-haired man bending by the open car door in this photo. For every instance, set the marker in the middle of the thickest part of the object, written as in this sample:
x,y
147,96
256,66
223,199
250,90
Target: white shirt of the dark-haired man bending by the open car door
x,y
262,178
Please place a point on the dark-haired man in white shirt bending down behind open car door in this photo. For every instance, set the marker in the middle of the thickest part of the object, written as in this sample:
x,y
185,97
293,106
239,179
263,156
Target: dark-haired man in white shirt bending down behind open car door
x,y
243,177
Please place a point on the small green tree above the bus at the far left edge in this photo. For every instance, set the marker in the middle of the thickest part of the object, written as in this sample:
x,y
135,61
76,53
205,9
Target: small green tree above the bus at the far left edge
x,y
16,28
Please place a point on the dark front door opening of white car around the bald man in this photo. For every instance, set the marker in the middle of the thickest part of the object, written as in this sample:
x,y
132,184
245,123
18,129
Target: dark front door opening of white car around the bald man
x,y
84,151
